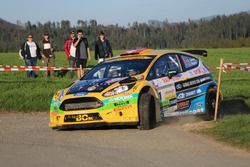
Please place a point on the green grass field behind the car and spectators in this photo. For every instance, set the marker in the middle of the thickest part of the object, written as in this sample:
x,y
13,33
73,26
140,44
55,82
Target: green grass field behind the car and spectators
x,y
19,93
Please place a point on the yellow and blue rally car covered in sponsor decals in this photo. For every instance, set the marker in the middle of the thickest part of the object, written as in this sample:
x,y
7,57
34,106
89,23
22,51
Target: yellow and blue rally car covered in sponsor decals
x,y
139,87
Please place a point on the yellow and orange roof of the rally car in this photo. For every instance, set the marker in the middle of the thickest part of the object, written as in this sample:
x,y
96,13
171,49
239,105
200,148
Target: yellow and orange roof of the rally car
x,y
142,54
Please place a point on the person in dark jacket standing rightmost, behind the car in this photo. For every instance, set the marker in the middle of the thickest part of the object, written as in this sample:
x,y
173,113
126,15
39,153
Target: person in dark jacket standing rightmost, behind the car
x,y
103,48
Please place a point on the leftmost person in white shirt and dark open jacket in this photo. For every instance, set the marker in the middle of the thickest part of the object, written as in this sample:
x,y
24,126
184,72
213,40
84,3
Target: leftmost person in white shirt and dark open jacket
x,y
30,52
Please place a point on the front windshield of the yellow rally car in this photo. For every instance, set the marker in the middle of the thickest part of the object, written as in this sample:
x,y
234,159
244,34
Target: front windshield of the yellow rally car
x,y
118,69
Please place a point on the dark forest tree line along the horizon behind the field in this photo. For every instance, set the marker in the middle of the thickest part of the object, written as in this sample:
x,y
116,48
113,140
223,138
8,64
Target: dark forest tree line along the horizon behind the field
x,y
219,31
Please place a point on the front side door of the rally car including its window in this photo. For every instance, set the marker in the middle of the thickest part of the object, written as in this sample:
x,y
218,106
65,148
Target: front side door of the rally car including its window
x,y
162,78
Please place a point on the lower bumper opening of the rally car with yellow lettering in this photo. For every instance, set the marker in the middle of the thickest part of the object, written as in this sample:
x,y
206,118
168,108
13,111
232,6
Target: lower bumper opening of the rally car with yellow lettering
x,y
82,117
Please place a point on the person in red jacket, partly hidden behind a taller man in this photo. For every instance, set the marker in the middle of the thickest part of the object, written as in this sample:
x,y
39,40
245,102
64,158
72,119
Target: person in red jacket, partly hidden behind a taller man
x,y
70,52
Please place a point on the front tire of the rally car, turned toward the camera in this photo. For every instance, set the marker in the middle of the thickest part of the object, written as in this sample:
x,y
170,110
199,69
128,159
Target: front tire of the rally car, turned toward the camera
x,y
146,112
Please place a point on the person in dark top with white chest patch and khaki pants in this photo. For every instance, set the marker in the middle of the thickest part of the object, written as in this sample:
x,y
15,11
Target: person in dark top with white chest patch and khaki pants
x,y
47,52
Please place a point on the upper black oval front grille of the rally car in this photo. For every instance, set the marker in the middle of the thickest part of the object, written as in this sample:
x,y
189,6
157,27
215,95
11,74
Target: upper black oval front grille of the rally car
x,y
82,103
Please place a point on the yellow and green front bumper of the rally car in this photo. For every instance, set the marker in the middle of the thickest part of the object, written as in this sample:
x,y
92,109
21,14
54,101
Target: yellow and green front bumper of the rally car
x,y
122,110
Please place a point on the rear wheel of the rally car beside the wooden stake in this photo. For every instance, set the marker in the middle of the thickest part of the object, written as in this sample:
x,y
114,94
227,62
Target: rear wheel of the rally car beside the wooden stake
x,y
210,104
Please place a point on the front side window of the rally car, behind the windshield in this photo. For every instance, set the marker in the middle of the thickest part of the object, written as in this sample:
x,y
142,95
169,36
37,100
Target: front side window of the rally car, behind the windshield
x,y
163,65
